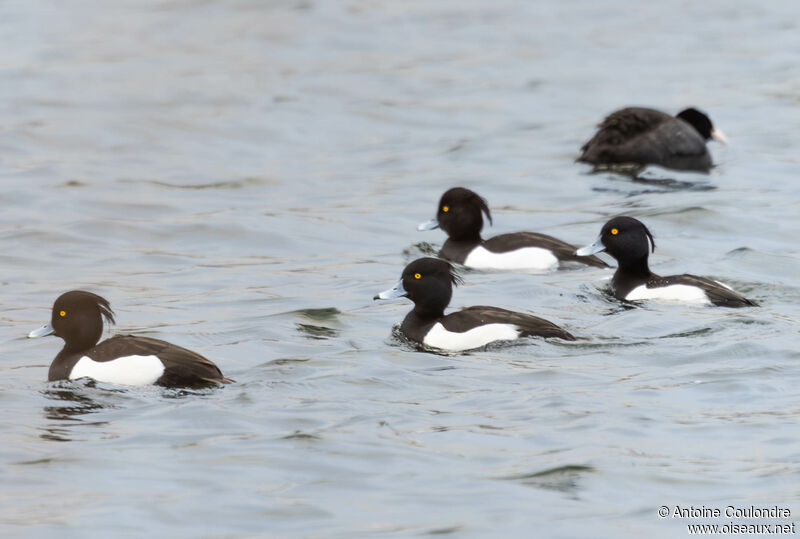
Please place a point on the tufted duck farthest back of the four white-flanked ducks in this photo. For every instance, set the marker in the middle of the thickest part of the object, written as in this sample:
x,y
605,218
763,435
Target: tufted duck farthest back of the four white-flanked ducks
x,y
460,215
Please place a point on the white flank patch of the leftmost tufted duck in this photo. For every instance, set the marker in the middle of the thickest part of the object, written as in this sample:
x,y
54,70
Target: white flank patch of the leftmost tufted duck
x,y
127,370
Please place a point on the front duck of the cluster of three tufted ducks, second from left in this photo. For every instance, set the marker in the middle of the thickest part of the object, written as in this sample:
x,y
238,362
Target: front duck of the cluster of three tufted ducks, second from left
x,y
428,282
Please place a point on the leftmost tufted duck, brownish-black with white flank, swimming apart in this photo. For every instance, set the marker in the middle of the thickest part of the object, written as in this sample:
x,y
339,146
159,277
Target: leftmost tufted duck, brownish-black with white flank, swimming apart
x,y
77,317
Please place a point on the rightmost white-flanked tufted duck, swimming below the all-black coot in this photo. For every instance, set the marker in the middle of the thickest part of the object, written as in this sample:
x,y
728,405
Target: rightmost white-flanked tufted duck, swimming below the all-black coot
x,y
630,243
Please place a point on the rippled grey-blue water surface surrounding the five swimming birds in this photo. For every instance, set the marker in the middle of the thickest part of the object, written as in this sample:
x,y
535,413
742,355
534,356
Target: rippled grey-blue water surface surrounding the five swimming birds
x,y
241,177
